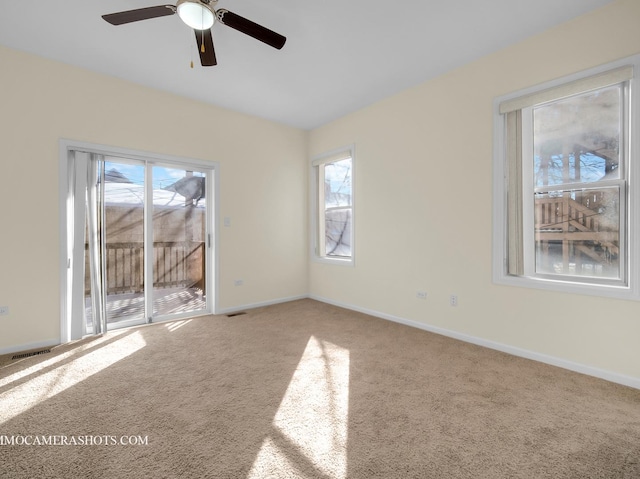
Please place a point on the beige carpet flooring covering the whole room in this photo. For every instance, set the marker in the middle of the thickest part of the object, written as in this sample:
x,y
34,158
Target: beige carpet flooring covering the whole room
x,y
306,390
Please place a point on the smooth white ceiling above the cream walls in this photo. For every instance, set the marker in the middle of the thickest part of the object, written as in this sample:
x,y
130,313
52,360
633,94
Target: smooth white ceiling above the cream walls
x,y
340,55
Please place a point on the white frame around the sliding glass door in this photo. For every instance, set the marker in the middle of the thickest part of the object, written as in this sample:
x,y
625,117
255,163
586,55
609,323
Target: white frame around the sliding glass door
x,y
69,321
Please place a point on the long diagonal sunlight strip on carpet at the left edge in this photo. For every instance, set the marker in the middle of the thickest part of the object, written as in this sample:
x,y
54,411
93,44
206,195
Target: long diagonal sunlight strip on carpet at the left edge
x,y
45,385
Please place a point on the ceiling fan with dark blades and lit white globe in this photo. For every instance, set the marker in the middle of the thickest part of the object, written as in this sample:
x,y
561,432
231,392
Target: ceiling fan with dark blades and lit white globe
x,y
200,15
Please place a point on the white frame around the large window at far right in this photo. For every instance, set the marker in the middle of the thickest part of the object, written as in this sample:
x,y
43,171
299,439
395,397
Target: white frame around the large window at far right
x,y
631,218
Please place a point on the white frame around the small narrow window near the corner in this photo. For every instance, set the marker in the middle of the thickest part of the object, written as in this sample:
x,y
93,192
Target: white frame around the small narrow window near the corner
x,y
317,211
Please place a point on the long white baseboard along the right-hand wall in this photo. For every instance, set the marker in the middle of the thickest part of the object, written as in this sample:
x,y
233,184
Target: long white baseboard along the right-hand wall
x,y
505,348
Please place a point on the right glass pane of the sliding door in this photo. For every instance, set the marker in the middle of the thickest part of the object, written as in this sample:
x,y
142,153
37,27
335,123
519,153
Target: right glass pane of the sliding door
x,y
179,234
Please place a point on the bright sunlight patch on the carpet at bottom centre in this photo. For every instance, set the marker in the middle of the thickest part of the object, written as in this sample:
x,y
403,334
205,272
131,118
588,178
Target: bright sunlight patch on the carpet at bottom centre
x,y
310,426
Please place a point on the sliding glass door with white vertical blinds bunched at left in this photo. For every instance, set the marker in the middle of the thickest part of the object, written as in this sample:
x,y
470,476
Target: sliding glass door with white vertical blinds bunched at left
x,y
146,252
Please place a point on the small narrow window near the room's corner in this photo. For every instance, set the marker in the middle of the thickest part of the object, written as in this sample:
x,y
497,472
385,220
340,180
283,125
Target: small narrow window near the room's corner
x,y
332,177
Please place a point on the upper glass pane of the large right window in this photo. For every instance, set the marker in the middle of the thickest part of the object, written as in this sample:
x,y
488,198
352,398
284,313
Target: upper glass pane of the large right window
x,y
576,140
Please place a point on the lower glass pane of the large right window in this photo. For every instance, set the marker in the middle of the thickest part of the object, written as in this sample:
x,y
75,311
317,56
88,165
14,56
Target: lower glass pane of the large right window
x,y
577,232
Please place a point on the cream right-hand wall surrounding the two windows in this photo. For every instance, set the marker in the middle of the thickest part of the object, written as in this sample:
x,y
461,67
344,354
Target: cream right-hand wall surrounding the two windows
x,y
424,204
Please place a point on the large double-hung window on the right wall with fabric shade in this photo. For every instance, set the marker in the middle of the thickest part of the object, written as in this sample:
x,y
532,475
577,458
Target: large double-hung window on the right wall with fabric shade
x,y
564,191
